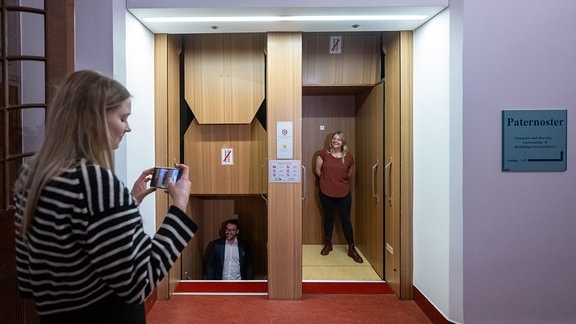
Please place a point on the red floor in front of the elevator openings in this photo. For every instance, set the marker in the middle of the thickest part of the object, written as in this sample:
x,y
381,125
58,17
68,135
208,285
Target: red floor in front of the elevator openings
x,y
313,308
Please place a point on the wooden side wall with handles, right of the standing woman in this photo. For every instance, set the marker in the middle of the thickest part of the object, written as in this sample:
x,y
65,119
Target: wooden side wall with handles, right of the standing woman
x,y
369,178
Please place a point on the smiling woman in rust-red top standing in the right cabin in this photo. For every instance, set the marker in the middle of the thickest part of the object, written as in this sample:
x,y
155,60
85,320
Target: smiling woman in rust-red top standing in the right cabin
x,y
334,167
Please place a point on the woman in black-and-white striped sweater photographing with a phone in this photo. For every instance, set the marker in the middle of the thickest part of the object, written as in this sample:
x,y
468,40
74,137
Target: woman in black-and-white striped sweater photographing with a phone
x,y
81,252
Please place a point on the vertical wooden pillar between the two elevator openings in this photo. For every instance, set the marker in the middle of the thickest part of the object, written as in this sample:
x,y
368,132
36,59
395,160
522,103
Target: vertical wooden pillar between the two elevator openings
x,y
284,103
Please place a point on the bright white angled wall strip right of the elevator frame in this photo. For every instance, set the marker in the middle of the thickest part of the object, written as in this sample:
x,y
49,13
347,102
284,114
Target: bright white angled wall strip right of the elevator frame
x,y
435,169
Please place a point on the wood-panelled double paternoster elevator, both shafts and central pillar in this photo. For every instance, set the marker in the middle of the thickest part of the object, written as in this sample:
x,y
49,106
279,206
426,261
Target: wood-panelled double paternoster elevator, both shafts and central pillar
x,y
228,91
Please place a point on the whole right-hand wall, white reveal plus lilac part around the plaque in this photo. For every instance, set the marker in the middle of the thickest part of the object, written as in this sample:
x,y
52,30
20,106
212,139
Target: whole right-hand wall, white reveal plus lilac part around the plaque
x,y
515,233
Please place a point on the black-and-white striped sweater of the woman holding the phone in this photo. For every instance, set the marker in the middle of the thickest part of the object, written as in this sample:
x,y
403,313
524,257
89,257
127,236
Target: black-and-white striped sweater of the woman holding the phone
x,y
87,242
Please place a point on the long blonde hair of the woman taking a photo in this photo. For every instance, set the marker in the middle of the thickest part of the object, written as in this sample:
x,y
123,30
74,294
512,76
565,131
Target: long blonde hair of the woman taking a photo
x,y
76,128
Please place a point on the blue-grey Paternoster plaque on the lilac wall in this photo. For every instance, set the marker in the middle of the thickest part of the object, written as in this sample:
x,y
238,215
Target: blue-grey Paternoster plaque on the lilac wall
x,y
534,140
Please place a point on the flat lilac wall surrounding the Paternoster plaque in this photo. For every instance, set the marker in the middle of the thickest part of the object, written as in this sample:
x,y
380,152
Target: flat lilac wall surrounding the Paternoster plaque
x,y
519,227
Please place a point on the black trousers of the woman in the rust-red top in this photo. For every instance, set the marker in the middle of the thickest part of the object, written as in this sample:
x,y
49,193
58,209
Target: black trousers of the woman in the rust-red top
x,y
344,206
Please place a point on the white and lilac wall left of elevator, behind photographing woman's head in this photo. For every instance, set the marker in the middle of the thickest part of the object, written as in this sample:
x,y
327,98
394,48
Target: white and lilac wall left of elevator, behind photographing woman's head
x,y
102,44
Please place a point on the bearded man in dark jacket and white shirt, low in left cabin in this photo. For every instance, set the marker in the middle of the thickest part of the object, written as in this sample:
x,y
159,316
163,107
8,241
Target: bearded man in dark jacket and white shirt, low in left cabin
x,y
229,257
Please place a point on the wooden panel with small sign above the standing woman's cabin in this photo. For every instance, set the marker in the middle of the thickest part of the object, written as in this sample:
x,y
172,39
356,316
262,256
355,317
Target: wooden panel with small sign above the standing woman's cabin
x,y
358,64
